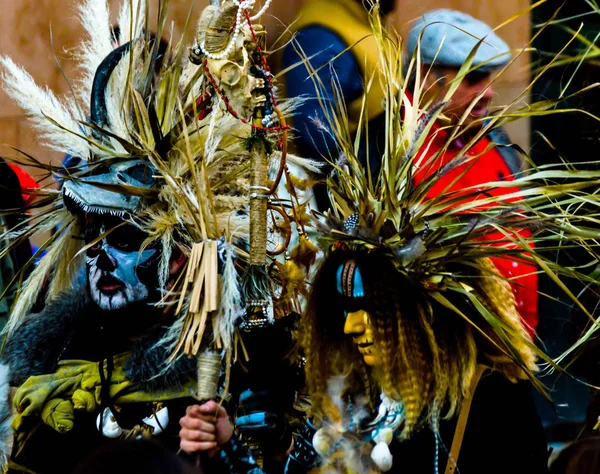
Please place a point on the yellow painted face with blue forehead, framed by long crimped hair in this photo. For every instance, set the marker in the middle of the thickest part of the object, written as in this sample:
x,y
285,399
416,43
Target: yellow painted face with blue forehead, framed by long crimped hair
x,y
358,322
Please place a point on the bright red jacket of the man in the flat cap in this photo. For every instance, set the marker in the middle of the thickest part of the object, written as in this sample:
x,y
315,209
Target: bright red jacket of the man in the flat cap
x,y
489,166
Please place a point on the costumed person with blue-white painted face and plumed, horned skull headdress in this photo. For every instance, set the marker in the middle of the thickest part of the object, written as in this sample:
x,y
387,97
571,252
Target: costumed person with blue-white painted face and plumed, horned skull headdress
x,y
161,184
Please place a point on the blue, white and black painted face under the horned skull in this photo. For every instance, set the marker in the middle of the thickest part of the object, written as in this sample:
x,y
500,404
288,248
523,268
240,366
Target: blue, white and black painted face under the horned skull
x,y
119,274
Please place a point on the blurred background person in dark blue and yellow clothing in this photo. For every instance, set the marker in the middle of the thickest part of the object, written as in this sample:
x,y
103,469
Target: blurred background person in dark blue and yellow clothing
x,y
336,38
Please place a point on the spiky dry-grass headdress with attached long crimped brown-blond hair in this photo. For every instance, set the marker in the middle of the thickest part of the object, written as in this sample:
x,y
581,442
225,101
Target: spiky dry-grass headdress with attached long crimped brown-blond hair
x,y
424,259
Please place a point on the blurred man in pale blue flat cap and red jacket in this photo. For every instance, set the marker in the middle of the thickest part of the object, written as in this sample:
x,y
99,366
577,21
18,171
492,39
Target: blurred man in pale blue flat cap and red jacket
x,y
447,38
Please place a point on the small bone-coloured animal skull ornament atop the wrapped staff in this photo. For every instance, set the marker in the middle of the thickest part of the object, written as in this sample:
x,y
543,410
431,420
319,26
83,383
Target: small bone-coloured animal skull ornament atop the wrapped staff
x,y
229,56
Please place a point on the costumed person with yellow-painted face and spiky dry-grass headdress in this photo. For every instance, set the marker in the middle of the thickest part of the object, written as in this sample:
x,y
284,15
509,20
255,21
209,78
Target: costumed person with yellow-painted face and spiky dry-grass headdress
x,y
416,357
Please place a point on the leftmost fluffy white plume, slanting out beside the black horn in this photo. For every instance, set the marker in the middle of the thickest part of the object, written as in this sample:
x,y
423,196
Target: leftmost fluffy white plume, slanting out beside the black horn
x,y
39,103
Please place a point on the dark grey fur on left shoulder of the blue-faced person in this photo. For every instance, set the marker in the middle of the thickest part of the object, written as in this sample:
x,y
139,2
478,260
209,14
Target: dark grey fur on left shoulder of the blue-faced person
x,y
37,344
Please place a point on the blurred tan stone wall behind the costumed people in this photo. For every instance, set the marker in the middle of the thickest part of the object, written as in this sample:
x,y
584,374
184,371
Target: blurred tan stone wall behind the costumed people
x,y
40,34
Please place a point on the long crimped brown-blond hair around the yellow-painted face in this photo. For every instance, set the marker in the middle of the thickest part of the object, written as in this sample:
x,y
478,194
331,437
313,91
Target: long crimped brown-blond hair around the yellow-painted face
x,y
427,353
